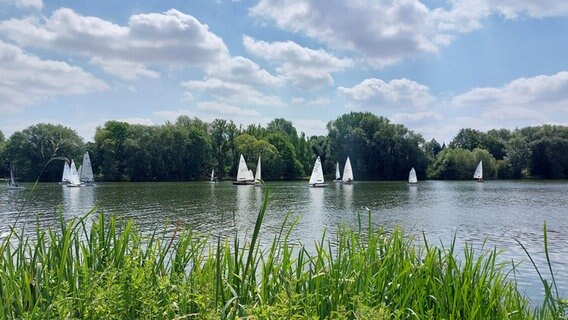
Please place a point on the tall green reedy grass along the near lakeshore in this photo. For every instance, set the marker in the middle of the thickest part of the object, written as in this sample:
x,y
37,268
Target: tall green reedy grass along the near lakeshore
x,y
99,267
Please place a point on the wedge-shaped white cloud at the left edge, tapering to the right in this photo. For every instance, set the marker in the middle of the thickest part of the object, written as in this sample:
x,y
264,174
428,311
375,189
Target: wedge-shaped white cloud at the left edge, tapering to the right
x,y
26,79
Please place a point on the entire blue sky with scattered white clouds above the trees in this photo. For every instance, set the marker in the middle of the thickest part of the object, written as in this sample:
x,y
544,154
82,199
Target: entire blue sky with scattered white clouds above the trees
x,y
435,66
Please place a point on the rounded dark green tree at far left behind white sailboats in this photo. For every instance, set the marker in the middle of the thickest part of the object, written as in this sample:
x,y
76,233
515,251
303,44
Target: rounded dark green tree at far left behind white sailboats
x,y
34,149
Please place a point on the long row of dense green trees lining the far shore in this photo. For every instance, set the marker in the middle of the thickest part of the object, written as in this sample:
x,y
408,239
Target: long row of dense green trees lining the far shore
x,y
189,148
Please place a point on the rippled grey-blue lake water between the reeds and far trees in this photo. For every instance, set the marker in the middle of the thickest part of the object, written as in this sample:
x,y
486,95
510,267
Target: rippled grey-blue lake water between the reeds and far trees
x,y
497,212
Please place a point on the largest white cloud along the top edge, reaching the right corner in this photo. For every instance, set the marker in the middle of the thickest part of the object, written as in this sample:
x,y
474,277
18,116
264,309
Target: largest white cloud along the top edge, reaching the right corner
x,y
384,31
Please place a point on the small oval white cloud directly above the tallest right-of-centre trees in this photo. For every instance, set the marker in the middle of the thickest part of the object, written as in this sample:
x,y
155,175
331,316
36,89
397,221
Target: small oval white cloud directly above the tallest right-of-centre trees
x,y
398,93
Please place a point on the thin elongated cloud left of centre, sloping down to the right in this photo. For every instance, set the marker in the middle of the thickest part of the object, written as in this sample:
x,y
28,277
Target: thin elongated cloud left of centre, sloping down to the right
x,y
233,92
